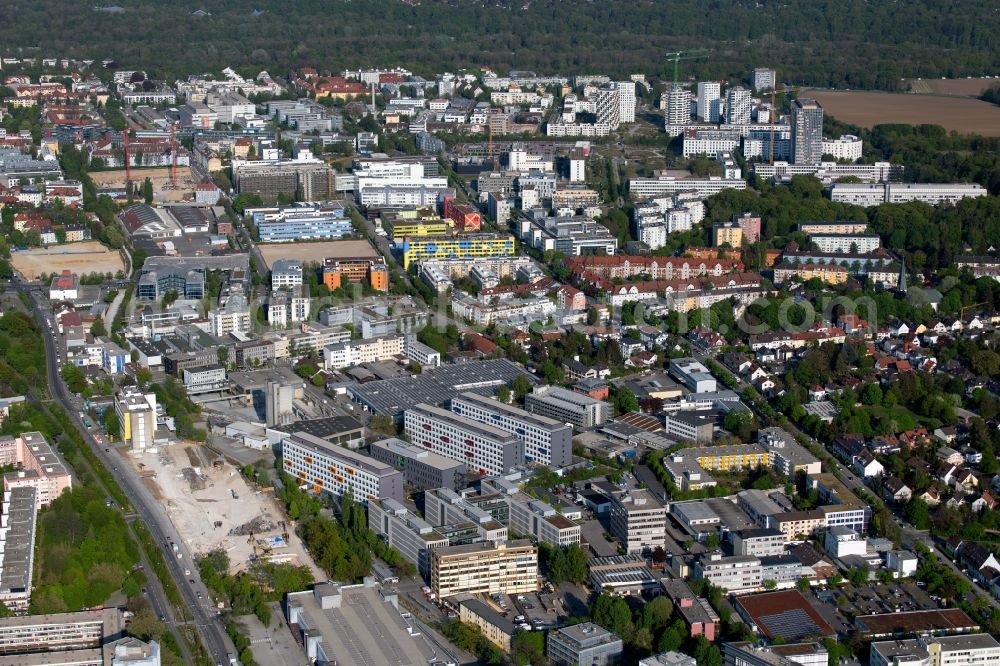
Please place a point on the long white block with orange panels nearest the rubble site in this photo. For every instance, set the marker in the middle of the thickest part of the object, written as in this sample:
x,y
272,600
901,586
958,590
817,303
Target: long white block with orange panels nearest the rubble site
x,y
326,467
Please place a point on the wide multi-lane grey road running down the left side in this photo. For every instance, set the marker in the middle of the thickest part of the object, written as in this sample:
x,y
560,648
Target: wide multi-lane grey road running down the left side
x,y
206,620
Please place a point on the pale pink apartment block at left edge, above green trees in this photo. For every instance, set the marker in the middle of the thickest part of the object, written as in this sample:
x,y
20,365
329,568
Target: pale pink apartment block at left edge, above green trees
x,y
37,465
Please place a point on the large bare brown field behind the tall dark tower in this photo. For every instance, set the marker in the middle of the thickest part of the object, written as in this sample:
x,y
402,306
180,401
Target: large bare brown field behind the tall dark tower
x,y
867,109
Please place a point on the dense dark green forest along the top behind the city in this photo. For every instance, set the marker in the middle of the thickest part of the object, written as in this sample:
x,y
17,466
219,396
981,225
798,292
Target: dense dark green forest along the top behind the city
x,y
851,44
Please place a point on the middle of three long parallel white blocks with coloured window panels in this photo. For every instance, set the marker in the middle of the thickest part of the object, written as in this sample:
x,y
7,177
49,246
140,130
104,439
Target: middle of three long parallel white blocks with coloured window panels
x,y
483,448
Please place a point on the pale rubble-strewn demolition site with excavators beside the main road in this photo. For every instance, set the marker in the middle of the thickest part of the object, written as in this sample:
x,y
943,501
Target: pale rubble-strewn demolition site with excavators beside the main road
x,y
213,507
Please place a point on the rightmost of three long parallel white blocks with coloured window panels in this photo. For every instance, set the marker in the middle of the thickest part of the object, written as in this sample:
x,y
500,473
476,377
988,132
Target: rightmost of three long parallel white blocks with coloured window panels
x,y
546,441
